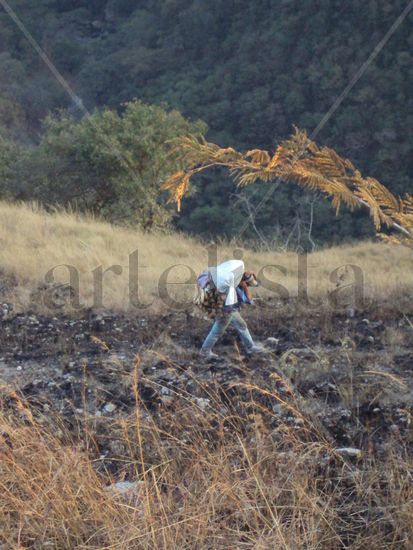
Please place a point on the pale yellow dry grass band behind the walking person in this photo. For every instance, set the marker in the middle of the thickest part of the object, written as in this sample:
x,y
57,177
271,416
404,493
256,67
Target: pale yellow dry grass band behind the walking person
x,y
32,242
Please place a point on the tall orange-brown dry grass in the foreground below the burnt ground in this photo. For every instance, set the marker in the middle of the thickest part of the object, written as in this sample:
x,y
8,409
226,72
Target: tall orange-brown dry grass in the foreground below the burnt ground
x,y
206,480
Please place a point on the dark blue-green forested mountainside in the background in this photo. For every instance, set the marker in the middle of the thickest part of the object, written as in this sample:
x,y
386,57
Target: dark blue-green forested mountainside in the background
x,y
250,70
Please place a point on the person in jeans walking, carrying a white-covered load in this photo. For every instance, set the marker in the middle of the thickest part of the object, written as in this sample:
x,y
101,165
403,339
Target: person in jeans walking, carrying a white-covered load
x,y
223,290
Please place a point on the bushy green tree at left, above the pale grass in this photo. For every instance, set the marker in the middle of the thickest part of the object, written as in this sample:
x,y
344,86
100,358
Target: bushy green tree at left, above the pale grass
x,y
109,163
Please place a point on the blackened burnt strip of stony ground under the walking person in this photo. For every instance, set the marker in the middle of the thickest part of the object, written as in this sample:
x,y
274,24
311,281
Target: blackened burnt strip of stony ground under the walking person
x,y
353,375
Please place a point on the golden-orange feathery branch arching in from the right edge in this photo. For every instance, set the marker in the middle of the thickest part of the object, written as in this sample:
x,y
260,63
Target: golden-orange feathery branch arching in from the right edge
x,y
300,161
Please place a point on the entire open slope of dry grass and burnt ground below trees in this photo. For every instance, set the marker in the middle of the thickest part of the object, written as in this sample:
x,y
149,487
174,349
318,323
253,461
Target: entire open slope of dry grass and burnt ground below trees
x,y
116,433
